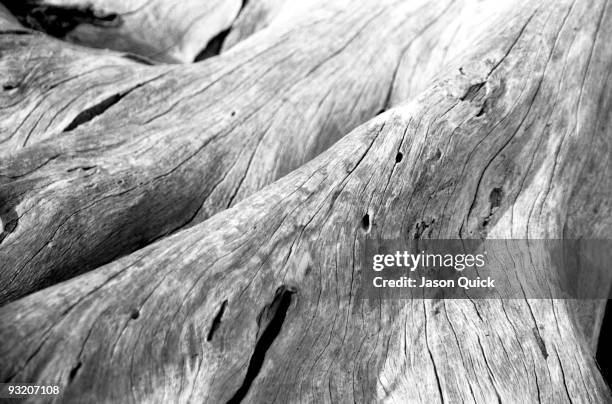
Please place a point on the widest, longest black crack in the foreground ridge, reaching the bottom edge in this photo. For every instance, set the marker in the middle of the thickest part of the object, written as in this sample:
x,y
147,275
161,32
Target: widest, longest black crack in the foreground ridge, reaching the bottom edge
x,y
272,318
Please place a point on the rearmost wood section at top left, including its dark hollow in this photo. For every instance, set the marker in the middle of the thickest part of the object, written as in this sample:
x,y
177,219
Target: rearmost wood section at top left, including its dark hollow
x,y
162,30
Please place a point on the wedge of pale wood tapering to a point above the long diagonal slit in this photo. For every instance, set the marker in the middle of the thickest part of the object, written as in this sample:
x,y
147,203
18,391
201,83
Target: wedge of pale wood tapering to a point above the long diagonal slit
x,y
48,85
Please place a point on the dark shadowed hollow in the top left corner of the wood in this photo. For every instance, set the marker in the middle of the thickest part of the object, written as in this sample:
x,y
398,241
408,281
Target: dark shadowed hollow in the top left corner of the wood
x,y
58,21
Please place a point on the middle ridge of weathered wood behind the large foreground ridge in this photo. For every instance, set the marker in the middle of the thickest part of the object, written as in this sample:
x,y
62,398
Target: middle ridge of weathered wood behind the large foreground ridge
x,y
181,143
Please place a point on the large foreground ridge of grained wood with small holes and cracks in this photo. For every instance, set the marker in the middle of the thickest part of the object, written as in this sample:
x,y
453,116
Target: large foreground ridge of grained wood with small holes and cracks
x,y
259,301
